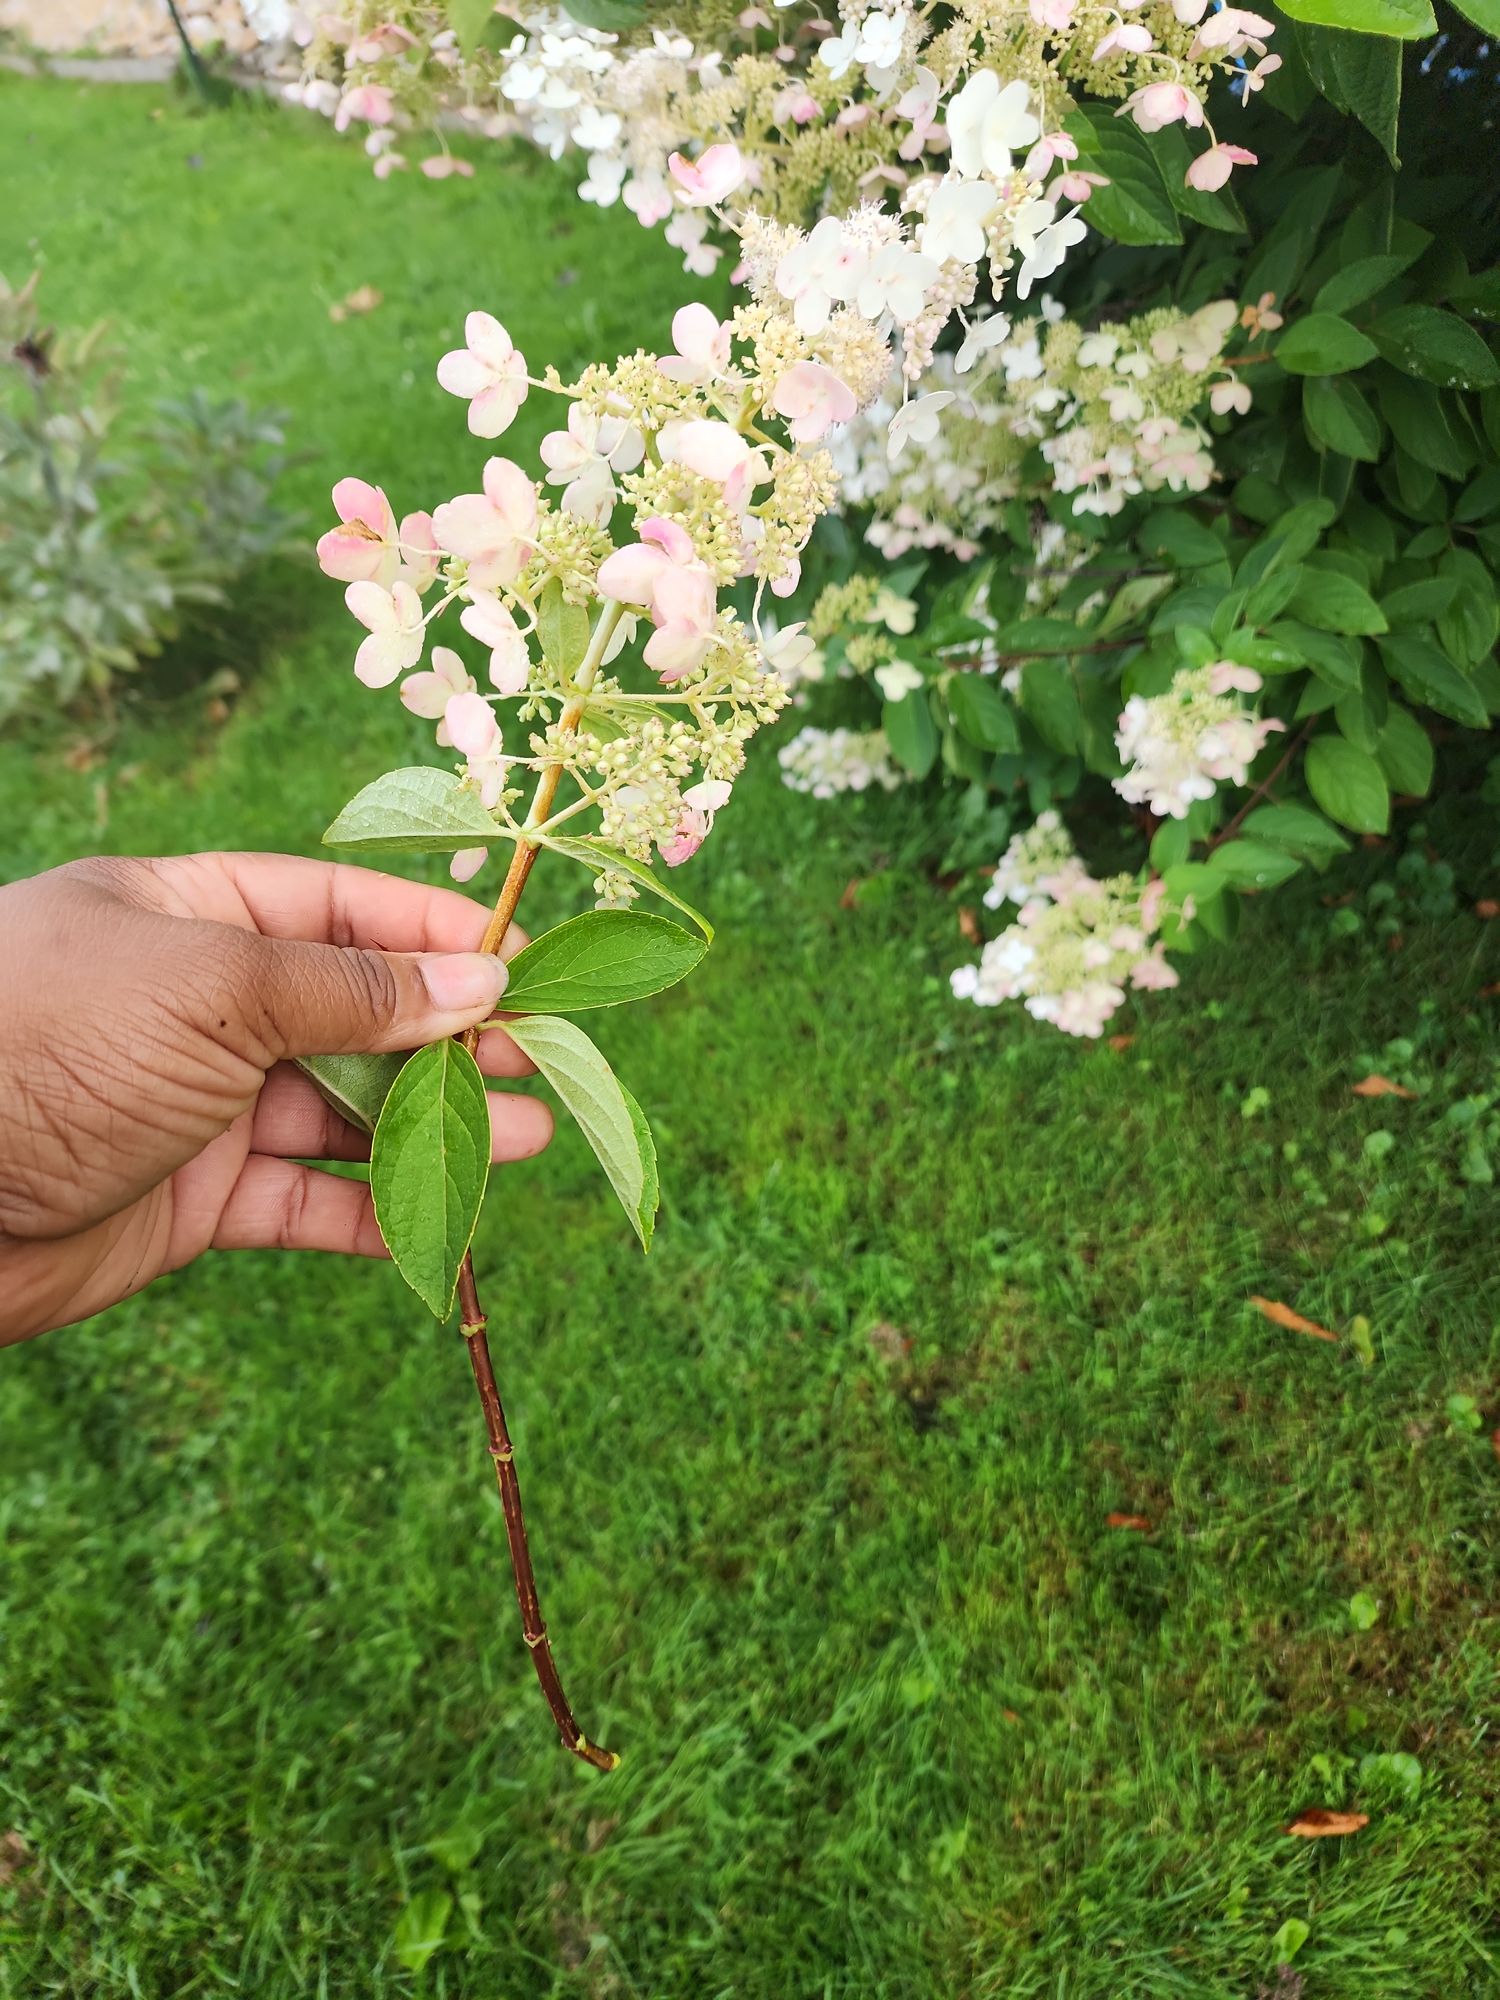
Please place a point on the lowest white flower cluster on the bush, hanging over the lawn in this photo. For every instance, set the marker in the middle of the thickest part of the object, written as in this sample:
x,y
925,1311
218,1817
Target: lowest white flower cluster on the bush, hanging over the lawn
x,y
1077,943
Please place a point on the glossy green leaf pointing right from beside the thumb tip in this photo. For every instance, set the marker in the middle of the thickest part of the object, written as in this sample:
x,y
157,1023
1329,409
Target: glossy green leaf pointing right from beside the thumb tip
x,y
601,959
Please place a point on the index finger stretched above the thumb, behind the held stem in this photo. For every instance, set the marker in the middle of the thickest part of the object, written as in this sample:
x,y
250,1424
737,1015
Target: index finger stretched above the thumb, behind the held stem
x,y
339,903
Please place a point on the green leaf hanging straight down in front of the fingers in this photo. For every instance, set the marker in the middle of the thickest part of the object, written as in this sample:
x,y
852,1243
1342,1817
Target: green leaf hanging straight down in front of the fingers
x,y
429,1165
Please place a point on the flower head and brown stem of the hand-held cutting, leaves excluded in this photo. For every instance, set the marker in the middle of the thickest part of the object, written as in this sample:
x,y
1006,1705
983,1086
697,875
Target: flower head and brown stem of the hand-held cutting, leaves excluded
x,y
719,455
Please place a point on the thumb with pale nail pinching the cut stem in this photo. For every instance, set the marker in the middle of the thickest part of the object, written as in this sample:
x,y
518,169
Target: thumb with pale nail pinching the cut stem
x,y
333,1001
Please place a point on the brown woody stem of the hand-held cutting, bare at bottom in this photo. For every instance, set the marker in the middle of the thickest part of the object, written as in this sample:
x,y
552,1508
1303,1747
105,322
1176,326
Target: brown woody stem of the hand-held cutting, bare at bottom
x,y
475,1325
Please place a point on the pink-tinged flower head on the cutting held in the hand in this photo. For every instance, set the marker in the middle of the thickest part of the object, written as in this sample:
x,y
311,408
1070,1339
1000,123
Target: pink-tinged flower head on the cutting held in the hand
x,y
715,457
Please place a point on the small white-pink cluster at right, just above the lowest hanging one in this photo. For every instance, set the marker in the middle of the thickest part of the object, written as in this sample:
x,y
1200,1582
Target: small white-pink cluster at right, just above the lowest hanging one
x,y
1193,739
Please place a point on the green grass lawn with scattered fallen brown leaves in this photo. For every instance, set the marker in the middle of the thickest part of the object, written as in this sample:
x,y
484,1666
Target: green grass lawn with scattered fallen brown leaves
x,y
821,1493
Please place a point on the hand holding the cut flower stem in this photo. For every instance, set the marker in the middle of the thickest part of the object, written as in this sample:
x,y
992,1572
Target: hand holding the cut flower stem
x,y
147,1105
